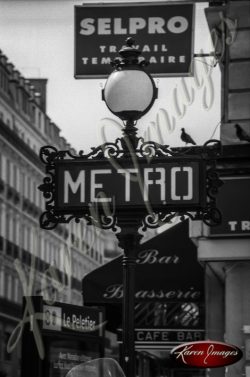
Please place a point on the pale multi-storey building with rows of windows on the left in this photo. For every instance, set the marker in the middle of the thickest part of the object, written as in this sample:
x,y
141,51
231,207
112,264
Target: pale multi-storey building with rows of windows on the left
x,y
33,261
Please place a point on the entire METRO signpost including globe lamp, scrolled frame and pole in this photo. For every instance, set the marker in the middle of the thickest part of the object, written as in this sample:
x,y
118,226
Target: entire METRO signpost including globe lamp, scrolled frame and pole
x,y
130,183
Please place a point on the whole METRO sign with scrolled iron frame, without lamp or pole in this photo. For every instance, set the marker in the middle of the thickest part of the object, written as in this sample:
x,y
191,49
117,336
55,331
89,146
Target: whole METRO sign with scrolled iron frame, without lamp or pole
x,y
113,185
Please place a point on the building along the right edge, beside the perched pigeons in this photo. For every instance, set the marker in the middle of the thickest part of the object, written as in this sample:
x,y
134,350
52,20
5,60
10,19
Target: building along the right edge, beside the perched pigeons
x,y
225,252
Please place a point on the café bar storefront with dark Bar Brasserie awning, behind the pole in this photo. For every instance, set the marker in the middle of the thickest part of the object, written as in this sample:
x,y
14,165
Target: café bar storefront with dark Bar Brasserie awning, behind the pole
x,y
169,299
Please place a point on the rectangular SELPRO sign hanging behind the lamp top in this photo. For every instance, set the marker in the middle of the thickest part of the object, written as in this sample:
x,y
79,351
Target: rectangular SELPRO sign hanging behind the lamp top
x,y
163,32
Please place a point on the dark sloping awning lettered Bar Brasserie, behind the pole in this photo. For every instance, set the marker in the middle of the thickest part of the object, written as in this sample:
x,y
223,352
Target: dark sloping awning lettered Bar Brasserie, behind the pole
x,y
167,270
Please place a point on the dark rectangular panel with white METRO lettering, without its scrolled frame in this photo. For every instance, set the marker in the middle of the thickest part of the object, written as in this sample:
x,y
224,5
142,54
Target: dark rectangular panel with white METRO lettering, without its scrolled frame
x,y
162,184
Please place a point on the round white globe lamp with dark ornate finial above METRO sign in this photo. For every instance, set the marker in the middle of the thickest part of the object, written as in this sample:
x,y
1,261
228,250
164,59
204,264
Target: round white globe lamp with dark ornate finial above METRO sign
x,y
130,91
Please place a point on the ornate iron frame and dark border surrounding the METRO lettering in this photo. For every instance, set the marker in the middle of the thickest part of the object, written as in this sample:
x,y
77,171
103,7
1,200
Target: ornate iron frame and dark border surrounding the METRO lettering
x,y
127,150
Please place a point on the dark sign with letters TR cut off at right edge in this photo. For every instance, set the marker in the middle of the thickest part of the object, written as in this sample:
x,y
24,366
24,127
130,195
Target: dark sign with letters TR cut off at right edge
x,y
234,203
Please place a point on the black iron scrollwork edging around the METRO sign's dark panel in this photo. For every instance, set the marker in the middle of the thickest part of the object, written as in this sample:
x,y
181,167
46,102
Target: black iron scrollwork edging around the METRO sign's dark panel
x,y
130,146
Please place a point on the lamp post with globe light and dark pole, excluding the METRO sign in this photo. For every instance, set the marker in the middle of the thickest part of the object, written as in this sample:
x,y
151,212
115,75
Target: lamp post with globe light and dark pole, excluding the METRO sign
x,y
129,93
